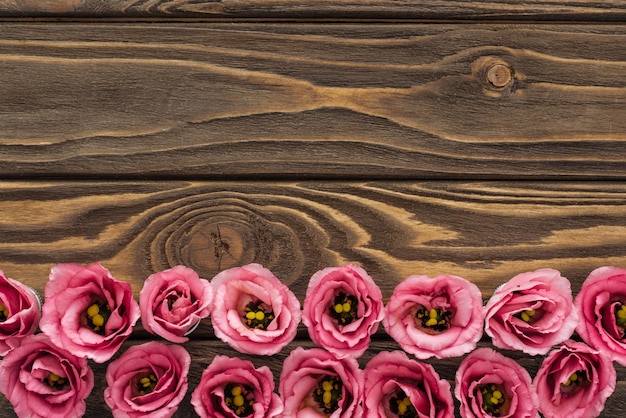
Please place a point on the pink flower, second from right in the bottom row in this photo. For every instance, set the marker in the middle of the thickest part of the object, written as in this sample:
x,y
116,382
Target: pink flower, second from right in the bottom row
x,y
488,384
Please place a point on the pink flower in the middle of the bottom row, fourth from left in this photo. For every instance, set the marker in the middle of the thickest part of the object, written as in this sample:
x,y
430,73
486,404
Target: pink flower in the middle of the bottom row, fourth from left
x,y
315,383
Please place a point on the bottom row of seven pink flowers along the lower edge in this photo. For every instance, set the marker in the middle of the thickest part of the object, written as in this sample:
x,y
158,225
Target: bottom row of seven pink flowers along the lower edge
x,y
151,379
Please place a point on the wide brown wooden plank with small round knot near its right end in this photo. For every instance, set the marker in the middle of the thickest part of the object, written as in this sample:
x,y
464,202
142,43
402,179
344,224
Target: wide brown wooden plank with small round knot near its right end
x,y
297,100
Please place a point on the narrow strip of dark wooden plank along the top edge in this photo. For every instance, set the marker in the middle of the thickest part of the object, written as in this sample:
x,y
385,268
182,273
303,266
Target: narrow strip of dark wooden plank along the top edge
x,y
608,10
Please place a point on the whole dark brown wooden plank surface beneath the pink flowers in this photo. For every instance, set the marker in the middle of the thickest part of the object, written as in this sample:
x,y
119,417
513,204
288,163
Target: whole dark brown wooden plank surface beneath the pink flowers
x,y
477,139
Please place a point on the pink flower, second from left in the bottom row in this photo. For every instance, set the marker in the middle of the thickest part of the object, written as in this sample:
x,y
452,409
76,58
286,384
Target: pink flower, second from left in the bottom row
x,y
149,379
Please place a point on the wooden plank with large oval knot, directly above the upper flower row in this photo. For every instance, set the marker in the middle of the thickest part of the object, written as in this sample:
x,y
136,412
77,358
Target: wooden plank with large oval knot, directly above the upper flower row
x,y
486,232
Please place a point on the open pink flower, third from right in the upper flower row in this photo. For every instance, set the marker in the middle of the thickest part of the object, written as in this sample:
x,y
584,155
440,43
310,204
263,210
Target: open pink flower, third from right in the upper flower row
x,y
440,317
